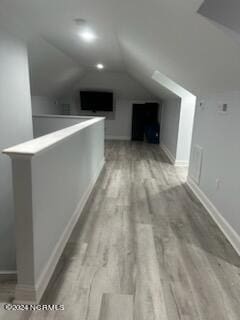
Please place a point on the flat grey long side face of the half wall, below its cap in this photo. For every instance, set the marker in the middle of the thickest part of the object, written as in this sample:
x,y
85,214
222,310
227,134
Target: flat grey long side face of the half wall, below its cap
x,y
61,188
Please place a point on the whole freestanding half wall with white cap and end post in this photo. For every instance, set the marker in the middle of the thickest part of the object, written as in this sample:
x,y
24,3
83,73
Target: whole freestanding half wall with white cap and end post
x,y
53,177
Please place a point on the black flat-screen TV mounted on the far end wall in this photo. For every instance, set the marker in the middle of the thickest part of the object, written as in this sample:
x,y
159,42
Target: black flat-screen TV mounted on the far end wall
x,y
96,100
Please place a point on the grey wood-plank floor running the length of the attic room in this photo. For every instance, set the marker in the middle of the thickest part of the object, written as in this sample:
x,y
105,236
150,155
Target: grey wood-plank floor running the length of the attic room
x,y
144,249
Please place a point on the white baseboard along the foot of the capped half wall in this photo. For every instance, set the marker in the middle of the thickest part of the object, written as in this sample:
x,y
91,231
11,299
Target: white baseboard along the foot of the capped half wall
x,y
33,294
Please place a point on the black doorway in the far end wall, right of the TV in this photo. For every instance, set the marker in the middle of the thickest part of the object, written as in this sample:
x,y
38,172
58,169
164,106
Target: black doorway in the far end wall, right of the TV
x,y
145,122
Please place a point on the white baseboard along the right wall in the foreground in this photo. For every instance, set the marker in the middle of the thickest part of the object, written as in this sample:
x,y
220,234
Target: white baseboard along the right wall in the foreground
x,y
224,226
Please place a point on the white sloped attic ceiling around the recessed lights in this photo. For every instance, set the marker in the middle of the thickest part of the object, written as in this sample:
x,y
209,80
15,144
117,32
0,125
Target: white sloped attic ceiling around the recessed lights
x,y
134,36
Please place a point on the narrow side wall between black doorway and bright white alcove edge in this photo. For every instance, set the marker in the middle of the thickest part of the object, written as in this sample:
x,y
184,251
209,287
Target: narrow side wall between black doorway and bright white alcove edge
x,y
171,109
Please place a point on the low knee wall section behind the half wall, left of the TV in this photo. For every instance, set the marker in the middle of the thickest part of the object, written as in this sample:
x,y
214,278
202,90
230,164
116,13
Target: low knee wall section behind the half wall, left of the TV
x,y
43,105
